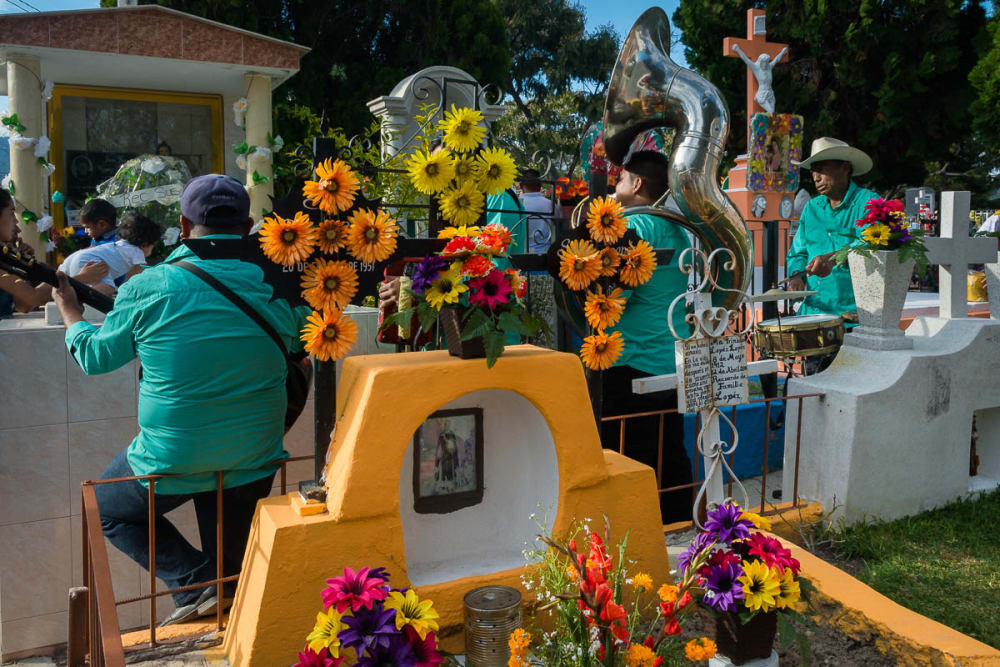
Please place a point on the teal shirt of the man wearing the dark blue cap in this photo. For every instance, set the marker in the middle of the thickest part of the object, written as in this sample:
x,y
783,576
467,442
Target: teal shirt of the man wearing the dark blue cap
x,y
212,393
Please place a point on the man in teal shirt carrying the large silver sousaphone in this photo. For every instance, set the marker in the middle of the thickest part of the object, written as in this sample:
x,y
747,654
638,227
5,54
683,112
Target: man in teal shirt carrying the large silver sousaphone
x,y
649,343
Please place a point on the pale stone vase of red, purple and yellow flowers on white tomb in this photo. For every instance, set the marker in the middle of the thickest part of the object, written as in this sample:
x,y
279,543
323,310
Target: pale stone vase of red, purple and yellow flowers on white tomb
x,y
881,263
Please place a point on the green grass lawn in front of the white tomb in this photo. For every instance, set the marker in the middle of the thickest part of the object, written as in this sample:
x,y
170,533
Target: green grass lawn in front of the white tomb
x,y
944,564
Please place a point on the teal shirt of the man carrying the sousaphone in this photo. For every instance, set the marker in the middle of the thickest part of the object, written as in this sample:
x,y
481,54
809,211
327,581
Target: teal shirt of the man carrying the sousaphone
x,y
649,345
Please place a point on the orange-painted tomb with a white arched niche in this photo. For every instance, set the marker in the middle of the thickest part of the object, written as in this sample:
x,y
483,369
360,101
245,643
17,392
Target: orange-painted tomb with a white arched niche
x,y
541,454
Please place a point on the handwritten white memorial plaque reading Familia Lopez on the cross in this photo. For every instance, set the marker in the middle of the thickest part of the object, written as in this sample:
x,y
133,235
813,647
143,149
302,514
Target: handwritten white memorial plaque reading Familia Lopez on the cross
x,y
711,372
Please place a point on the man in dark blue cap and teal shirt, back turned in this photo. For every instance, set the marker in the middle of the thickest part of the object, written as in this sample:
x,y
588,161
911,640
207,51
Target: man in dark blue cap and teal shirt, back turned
x,y
211,396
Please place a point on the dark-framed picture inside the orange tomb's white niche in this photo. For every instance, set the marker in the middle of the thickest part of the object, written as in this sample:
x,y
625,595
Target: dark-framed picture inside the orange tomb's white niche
x,y
448,461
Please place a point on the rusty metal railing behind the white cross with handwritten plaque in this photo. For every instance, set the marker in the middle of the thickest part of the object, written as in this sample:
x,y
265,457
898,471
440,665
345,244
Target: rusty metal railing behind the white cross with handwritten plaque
x,y
695,463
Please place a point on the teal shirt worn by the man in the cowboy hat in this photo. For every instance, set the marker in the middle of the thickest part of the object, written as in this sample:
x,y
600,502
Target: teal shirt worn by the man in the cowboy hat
x,y
823,229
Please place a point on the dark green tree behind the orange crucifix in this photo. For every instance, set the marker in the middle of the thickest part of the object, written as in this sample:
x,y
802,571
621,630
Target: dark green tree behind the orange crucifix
x,y
888,76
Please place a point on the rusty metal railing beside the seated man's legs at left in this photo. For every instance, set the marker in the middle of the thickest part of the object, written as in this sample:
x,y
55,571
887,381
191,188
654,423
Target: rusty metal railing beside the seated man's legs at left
x,y
102,644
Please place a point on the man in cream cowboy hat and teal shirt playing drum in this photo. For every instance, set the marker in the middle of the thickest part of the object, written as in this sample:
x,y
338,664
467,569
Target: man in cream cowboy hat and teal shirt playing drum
x,y
828,224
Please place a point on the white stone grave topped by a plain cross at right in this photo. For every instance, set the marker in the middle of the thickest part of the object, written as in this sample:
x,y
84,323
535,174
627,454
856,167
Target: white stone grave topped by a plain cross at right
x,y
891,436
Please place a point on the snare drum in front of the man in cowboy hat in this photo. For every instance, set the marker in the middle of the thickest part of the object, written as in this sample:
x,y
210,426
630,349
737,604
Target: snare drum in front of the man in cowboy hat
x,y
799,335
